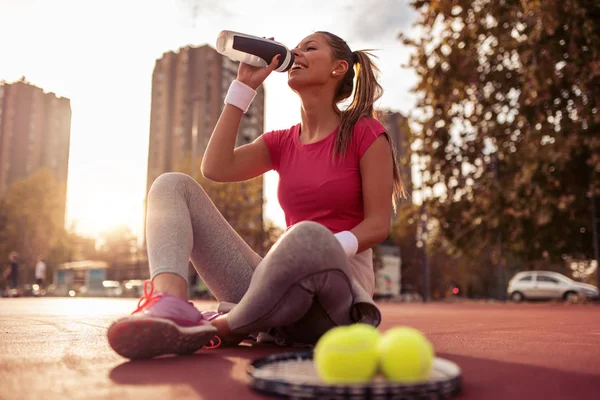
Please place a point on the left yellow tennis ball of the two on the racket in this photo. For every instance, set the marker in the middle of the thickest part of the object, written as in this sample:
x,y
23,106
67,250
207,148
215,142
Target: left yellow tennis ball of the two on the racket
x,y
348,354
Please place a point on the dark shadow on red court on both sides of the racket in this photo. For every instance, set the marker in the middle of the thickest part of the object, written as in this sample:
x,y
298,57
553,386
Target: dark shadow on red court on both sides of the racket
x,y
212,373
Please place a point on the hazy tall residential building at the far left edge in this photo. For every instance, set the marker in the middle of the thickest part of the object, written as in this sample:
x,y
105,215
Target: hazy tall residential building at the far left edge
x,y
35,132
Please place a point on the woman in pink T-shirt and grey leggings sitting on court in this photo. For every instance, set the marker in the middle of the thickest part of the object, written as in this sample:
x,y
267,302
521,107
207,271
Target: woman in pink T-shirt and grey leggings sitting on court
x,y
338,178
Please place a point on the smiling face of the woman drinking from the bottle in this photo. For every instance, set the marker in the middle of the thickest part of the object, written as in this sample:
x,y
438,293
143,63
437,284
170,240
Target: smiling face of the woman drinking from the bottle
x,y
313,63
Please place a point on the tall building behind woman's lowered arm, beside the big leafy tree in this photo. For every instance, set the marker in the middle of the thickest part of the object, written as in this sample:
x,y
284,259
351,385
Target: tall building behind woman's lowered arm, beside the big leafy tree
x,y
397,127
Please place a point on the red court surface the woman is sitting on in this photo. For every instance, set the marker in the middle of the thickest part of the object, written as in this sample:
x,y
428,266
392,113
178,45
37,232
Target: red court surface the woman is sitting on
x,y
56,349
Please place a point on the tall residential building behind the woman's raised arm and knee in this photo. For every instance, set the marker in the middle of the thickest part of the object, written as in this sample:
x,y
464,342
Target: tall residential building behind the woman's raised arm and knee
x,y
188,90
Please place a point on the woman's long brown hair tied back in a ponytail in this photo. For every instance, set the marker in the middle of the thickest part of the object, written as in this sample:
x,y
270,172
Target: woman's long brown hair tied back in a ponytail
x,y
367,92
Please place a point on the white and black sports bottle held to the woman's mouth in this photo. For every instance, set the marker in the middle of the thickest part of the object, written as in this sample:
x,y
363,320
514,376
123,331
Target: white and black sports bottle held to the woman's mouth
x,y
253,50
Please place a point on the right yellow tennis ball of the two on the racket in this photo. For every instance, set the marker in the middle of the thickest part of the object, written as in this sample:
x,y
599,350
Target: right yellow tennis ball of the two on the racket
x,y
406,355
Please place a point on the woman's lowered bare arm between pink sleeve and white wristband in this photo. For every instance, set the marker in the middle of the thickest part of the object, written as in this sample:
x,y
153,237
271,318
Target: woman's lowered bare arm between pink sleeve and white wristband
x,y
376,170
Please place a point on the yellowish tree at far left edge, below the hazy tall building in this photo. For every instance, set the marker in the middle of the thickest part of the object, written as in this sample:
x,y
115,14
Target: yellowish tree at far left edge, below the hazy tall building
x,y
31,217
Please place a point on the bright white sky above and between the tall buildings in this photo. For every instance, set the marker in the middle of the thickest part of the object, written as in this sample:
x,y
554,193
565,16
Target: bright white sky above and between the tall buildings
x,y
101,56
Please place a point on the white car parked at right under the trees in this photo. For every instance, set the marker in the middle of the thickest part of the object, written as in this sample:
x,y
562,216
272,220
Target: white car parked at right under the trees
x,y
547,285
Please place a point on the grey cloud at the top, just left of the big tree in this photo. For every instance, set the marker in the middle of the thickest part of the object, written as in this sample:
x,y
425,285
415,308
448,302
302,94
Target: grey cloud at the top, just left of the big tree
x,y
379,20
